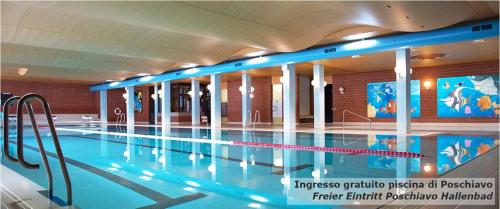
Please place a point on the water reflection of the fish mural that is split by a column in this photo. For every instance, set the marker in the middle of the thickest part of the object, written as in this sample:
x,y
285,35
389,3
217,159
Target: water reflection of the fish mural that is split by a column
x,y
389,143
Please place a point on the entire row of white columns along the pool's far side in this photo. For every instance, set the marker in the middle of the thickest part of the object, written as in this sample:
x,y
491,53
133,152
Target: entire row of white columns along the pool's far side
x,y
403,80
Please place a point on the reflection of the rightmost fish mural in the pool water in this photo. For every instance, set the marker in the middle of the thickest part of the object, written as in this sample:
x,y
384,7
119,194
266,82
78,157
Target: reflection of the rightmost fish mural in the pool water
x,y
453,151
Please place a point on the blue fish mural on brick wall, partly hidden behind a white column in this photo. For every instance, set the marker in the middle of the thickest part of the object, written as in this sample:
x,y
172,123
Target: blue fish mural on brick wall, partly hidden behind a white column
x,y
382,99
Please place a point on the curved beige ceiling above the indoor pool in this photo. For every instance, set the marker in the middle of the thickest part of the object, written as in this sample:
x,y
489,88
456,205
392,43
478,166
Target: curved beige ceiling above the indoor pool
x,y
95,41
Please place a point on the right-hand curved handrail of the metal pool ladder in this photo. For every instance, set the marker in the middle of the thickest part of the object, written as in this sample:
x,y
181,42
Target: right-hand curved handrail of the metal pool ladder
x,y
25,100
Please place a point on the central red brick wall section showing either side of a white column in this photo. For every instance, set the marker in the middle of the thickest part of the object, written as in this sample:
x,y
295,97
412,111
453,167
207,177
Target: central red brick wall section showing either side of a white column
x,y
262,100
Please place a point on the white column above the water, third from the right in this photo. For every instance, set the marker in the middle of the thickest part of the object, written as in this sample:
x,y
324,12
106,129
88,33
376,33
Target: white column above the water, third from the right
x,y
289,94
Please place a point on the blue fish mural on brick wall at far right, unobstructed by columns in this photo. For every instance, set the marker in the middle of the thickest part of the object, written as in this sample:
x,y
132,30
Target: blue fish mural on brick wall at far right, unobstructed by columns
x,y
468,96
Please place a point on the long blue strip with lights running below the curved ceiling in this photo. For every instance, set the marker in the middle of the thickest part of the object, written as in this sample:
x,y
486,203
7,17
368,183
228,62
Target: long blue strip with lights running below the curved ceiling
x,y
458,33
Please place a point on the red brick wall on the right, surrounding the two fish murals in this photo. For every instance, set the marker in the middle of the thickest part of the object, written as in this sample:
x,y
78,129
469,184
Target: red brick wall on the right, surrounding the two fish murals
x,y
355,98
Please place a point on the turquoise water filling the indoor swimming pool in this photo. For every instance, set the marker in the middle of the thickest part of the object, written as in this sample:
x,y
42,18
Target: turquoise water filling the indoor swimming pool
x,y
109,171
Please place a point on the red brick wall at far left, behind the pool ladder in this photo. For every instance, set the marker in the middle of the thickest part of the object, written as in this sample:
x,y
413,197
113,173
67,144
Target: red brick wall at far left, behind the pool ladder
x,y
63,98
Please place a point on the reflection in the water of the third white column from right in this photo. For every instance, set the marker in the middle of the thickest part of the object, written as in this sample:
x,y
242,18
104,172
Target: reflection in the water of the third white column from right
x,y
289,159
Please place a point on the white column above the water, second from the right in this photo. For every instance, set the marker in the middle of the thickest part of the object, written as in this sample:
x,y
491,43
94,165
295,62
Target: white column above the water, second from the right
x,y
319,96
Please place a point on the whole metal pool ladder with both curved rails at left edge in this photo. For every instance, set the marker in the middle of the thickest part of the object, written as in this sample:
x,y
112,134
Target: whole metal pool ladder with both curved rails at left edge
x,y
24,101
